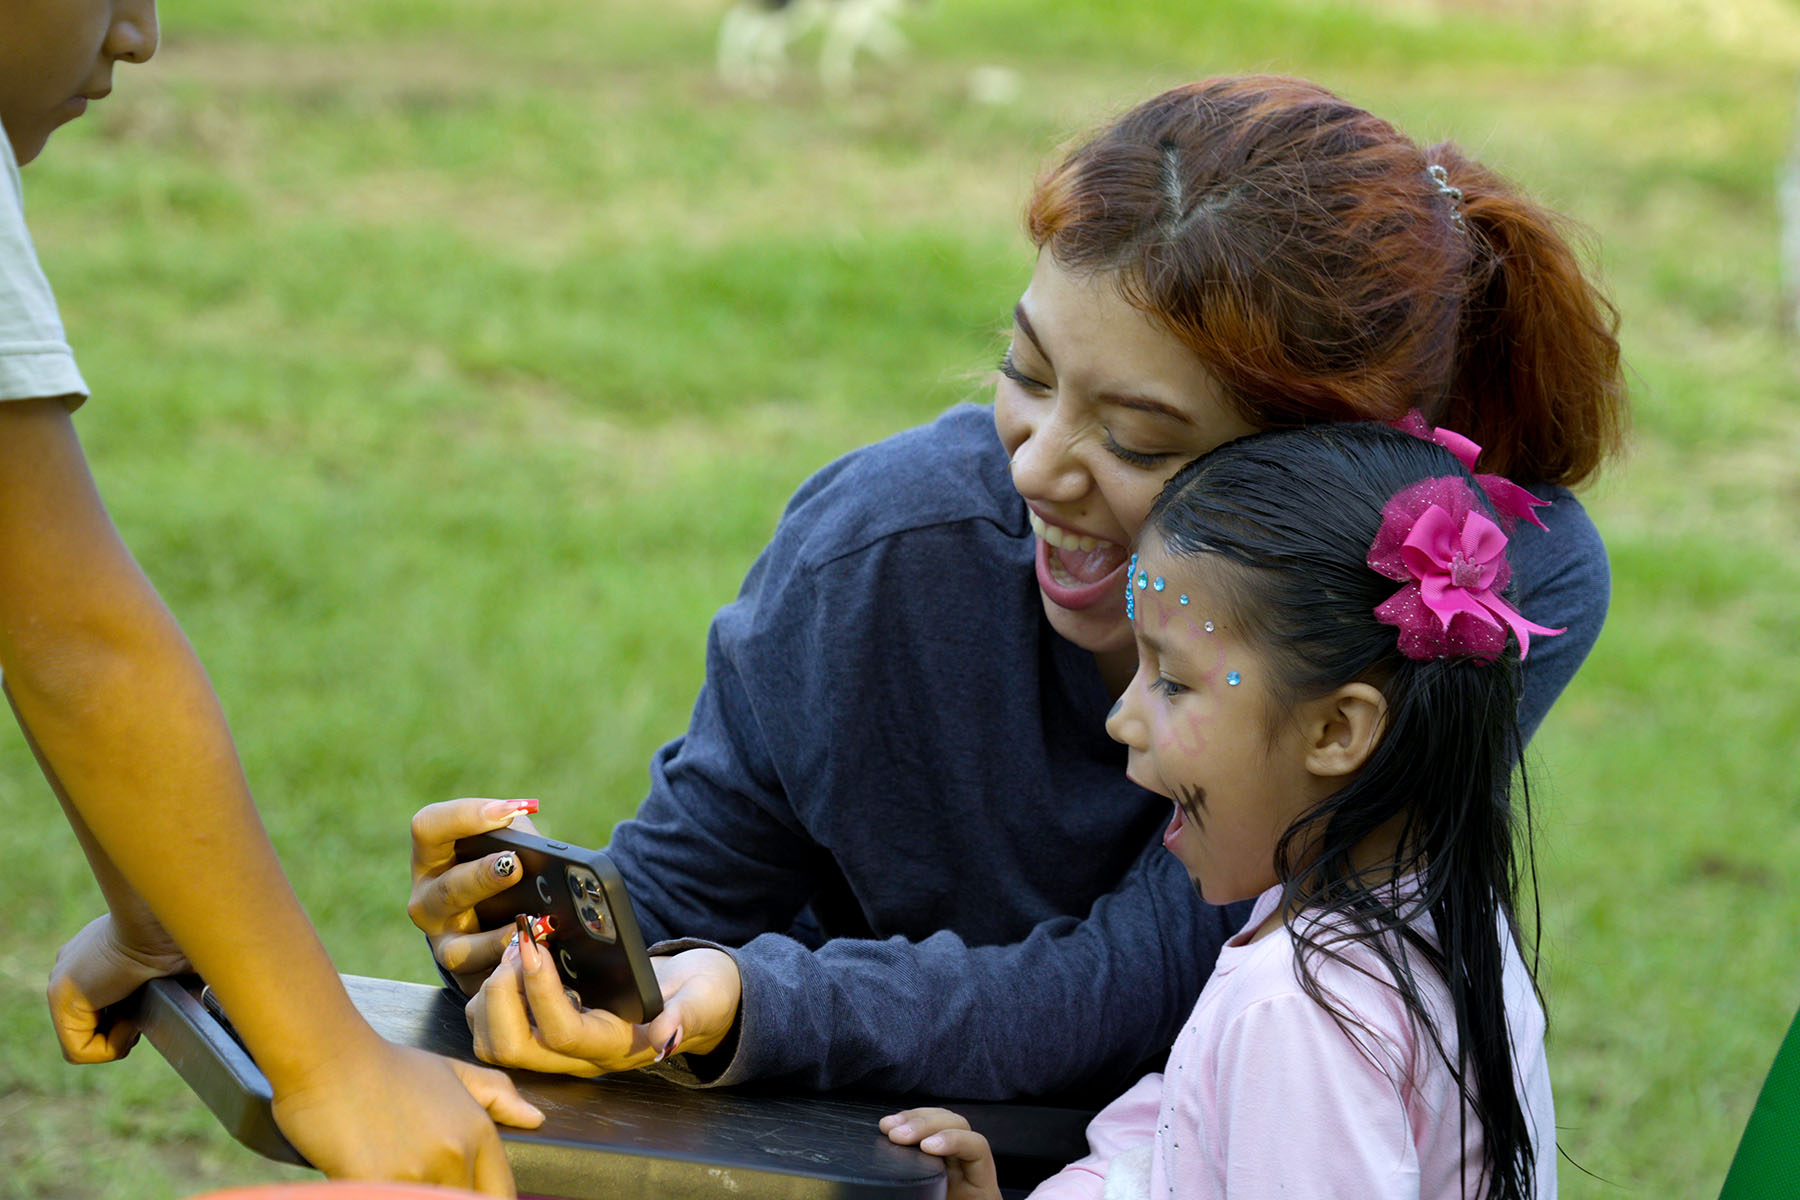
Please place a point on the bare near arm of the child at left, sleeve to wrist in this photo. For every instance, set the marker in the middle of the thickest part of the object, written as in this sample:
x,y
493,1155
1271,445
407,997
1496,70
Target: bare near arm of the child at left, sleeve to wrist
x,y
129,724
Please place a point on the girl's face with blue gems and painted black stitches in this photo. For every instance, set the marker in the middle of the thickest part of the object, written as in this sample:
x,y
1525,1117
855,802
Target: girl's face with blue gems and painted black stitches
x,y
1201,726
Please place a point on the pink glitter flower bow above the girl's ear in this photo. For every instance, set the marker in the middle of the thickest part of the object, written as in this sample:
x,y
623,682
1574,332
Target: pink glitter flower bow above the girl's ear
x,y
1453,566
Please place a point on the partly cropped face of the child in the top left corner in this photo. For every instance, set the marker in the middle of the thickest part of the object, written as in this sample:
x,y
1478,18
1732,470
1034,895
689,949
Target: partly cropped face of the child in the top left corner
x,y
58,55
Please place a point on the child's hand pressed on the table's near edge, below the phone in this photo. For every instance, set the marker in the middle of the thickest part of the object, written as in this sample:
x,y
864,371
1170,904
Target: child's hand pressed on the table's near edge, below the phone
x,y
393,1113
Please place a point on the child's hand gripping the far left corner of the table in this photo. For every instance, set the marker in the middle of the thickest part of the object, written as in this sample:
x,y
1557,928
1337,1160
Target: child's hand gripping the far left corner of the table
x,y
100,967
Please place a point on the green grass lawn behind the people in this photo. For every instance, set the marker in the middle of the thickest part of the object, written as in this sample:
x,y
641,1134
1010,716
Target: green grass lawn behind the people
x,y
453,361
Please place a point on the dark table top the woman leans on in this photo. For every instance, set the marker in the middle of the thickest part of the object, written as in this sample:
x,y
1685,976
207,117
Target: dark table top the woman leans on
x,y
629,1134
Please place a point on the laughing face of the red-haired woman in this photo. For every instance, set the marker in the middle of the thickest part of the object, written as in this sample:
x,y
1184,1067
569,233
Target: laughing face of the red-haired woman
x,y
1097,407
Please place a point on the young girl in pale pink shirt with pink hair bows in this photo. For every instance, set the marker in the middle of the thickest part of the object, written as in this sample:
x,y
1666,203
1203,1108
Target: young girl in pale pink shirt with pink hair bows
x,y
1327,679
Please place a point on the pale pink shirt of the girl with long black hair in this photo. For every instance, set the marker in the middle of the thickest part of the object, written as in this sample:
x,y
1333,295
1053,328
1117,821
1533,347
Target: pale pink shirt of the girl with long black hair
x,y
1266,1097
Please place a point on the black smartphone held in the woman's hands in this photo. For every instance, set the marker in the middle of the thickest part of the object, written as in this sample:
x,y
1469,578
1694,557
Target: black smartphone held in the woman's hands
x,y
593,935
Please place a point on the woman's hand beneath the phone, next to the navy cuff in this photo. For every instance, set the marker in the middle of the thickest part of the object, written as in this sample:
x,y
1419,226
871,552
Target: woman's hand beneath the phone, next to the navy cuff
x,y
525,1019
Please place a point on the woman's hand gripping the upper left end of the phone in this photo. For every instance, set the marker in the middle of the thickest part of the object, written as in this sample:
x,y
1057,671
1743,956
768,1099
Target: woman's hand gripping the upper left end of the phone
x,y
447,891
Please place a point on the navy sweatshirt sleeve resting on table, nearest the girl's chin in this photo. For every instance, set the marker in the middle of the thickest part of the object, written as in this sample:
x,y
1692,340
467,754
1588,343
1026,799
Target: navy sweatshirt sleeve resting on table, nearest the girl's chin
x,y
1074,1005
